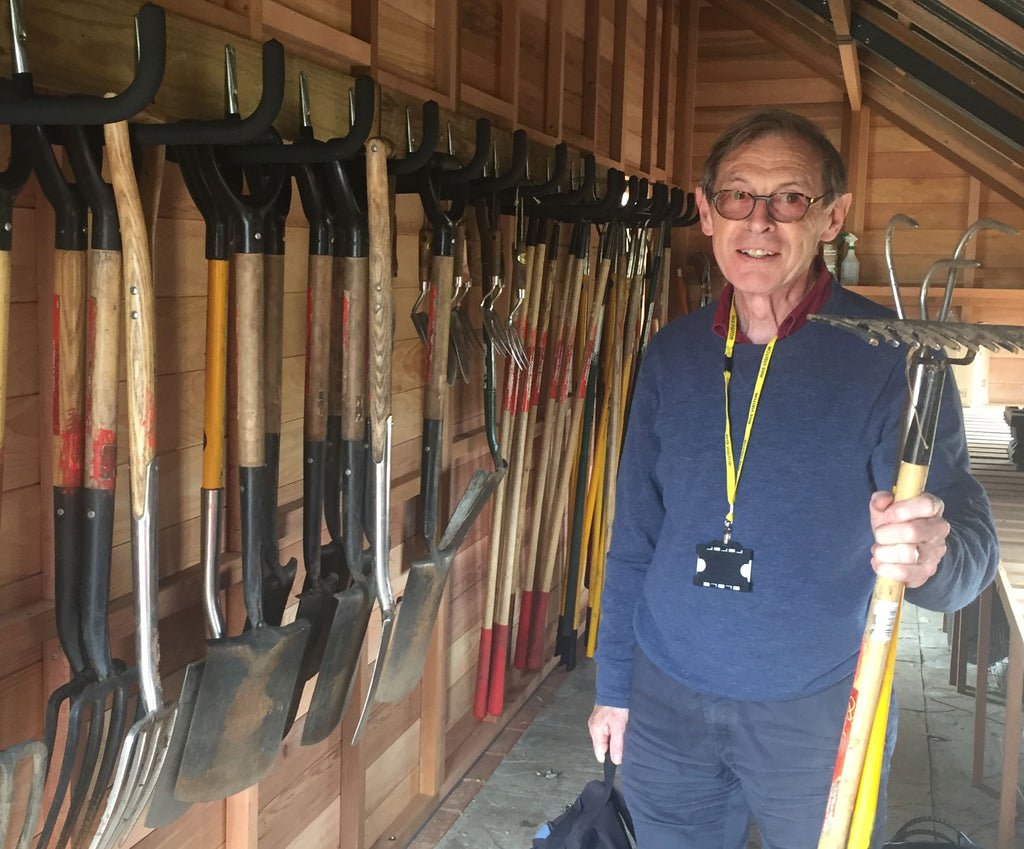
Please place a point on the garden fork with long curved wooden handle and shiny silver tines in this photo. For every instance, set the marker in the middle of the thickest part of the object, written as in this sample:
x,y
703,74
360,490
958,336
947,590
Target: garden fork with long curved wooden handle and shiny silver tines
x,y
146,745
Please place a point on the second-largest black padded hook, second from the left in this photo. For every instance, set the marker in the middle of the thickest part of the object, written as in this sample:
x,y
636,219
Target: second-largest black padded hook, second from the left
x,y
231,130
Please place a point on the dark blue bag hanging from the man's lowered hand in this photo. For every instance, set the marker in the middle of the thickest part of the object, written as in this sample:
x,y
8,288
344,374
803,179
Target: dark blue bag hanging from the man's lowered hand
x,y
599,820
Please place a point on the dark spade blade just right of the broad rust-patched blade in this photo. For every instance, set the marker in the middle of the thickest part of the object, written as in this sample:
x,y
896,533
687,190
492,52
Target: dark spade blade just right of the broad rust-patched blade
x,y
342,658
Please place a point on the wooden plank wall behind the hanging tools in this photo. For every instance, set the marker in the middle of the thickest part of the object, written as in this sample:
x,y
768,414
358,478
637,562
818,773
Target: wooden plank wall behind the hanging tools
x,y
562,72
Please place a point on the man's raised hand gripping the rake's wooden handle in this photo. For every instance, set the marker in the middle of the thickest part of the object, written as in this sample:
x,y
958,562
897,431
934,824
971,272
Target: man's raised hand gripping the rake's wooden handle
x,y
910,537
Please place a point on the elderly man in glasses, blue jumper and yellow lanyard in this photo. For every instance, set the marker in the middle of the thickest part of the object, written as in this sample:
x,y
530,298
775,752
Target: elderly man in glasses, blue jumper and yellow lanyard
x,y
739,581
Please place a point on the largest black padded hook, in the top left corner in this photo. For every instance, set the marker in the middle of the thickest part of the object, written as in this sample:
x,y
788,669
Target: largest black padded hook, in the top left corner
x,y
93,110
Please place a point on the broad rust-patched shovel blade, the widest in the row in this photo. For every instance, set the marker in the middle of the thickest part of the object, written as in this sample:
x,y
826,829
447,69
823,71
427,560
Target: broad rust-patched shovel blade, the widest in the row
x,y
241,712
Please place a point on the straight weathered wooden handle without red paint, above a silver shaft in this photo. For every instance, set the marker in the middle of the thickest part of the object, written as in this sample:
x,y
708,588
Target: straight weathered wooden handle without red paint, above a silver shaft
x,y
380,307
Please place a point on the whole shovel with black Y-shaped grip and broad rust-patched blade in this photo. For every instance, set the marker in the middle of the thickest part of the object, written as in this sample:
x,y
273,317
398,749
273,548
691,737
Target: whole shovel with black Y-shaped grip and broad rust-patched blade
x,y
242,705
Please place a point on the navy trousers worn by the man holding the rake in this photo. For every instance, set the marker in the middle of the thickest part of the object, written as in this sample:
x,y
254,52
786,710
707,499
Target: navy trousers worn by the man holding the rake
x,y
697,769
